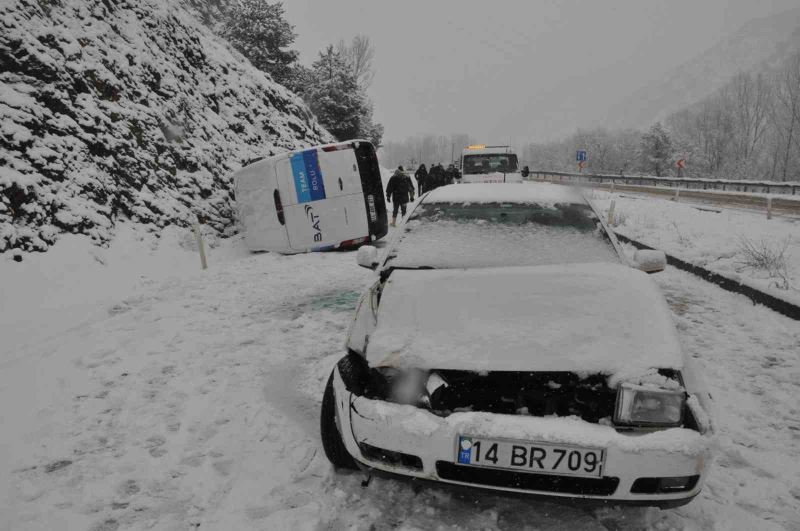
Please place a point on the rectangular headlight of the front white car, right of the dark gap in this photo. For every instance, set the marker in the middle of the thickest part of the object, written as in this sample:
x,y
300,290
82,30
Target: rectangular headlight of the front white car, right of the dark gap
x,y
646,406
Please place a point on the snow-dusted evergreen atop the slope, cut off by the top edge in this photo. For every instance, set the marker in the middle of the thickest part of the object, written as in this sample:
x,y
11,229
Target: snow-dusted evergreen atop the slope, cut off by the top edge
x,y
261,33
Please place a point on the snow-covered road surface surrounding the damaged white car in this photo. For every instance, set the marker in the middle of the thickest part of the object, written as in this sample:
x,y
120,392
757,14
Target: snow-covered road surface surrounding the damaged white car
x,y
193,404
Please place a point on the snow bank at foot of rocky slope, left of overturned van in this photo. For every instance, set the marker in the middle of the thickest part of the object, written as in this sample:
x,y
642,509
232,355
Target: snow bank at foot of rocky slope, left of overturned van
x,y
76,281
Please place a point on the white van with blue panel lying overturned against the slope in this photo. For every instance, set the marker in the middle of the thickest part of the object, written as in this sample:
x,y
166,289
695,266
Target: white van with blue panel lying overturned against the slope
x,y
316,199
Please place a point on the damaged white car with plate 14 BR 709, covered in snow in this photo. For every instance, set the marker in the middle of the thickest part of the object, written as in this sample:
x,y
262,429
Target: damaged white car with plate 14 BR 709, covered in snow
x,y
509,344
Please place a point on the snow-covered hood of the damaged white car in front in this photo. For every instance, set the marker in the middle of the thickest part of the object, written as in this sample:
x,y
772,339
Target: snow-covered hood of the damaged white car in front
x,y
587,318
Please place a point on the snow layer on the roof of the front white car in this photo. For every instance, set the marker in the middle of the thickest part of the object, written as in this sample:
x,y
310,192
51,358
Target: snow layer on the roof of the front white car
x,y
540,193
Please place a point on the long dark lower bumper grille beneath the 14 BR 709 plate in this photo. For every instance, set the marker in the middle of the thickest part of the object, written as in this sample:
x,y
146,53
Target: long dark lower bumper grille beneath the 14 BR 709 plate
x,y
522,480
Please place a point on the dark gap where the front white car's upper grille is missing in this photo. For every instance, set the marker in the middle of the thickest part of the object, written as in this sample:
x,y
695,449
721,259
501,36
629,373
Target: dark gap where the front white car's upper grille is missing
x,y
527,393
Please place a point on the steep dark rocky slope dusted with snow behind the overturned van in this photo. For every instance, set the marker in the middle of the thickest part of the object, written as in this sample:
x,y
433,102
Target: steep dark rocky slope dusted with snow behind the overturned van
x,y
115,109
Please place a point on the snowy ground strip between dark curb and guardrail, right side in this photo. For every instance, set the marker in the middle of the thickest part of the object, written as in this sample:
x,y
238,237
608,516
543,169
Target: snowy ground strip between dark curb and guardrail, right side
x,y
713,237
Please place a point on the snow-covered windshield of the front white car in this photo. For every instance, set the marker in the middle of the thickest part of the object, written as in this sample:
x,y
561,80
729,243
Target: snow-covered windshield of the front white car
x,y
458,235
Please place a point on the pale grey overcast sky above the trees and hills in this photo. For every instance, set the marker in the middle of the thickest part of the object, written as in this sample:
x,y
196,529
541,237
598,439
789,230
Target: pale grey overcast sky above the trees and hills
x,y
469,65
